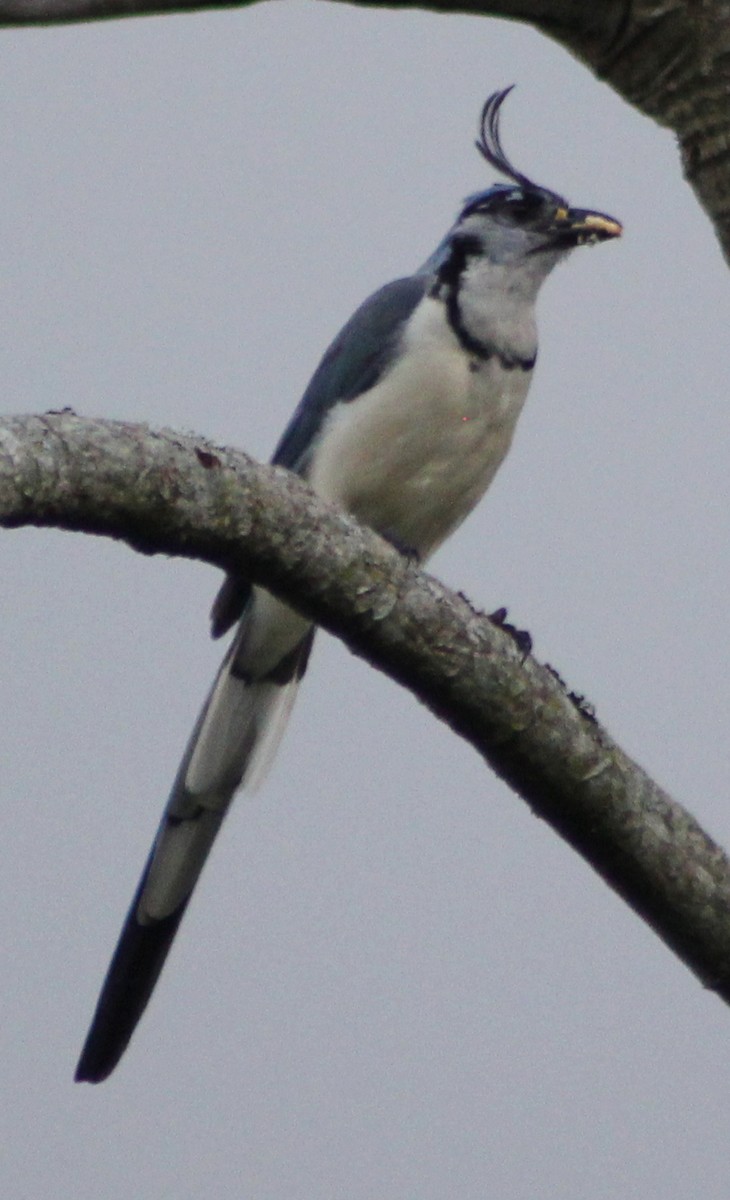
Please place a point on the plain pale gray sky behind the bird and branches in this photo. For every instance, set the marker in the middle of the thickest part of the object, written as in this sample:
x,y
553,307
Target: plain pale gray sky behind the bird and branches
x,y
394,982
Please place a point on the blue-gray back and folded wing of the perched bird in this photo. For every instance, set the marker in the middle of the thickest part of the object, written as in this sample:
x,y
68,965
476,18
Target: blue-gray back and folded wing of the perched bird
x,y
356,361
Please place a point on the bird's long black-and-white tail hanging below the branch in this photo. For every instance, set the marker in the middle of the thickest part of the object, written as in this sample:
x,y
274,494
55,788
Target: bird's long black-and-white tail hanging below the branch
x,y
232,745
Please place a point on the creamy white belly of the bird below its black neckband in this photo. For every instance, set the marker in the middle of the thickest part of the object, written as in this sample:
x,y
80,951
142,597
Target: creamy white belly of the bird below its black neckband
x,y
414,457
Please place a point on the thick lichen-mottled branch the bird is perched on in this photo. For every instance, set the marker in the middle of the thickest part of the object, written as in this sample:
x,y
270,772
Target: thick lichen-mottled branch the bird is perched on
x,y
163,493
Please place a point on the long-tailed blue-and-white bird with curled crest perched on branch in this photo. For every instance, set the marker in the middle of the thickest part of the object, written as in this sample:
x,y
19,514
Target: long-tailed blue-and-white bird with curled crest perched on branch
x,y
404,424
